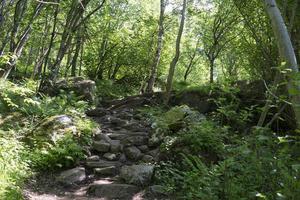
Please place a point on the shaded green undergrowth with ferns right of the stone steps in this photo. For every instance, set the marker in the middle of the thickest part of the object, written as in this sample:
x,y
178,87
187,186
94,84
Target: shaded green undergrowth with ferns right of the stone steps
x,y
223,156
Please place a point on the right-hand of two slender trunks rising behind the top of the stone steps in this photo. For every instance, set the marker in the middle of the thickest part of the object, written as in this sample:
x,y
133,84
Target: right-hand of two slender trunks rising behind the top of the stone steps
x,y
177,54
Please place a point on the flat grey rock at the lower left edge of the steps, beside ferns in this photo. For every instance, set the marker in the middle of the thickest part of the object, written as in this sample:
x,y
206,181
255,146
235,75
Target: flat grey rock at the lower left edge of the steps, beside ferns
x,y
72,176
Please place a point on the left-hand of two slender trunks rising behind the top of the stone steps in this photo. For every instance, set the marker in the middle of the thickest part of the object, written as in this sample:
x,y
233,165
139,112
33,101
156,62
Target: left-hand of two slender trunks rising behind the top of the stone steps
x,y
156,61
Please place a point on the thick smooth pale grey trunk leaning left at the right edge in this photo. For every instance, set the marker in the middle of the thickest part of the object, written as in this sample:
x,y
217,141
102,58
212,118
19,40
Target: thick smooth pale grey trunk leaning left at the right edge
x,y
286,52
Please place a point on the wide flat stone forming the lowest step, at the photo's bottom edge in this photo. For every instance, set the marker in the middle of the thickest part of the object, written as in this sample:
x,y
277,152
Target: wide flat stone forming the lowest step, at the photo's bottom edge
x,y
113,191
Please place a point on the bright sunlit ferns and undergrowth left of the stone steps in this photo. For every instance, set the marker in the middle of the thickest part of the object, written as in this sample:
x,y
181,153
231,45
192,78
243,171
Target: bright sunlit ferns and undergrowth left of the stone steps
x,y
22,150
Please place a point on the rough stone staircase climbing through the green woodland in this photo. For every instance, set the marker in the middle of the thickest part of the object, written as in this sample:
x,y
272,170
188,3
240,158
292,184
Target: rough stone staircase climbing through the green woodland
x,y
121,161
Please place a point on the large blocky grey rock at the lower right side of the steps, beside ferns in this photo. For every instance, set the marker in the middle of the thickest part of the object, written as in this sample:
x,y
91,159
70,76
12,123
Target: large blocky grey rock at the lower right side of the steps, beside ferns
x,y
139,175
